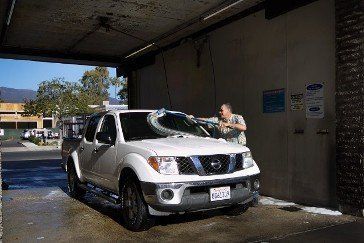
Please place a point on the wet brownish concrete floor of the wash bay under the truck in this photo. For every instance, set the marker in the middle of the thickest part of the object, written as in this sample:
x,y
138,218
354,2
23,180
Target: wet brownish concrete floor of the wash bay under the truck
x,y
50,214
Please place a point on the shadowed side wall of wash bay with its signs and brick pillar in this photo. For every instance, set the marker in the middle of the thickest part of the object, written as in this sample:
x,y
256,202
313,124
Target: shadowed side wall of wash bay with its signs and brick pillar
x,y
270,69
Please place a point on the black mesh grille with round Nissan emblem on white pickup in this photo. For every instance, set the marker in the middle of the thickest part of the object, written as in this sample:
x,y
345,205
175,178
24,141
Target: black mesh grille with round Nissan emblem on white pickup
x,y
210,164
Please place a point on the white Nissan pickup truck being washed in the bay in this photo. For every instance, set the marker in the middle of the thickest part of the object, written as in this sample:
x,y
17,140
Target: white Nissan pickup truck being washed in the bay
x,y
122,159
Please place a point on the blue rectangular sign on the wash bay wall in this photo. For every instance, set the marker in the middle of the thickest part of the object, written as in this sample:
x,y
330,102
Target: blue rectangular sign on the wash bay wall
x,y
274,101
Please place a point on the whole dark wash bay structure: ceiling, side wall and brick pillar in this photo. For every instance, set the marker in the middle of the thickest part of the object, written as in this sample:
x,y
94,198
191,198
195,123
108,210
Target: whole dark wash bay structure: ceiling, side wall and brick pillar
x,y
262,57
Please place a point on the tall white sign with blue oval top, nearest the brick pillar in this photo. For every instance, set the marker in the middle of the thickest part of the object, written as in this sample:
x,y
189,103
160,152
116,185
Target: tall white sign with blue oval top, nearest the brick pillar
x,y
315,100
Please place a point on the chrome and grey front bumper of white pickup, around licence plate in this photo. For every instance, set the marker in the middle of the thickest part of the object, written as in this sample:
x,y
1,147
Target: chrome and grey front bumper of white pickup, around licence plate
x,y
194,196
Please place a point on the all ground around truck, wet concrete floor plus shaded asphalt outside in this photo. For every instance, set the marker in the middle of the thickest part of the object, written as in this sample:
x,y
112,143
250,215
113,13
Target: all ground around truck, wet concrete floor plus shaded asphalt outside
x,y
36,207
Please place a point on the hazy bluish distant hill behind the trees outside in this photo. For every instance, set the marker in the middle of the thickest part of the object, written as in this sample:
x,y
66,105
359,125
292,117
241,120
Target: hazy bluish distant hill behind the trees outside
x,y
11,95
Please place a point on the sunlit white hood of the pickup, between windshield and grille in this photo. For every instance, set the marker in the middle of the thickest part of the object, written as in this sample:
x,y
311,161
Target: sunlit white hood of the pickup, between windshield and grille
x,y
188,146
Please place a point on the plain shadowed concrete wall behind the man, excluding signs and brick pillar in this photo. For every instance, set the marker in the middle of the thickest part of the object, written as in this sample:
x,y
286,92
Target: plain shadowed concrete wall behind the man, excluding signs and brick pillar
x,y
247,57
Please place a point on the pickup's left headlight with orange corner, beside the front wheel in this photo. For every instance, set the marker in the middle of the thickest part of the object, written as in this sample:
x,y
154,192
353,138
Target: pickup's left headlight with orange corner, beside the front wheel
x,y
164,165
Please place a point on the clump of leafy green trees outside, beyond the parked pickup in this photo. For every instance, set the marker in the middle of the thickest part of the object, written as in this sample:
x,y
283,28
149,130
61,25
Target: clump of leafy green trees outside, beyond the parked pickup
x,y
62,98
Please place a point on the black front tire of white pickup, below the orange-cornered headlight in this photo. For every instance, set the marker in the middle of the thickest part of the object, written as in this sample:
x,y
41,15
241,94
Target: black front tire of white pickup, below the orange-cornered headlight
x,y
134,213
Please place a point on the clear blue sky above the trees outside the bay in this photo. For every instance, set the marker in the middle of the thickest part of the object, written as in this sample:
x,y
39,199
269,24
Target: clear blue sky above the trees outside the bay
x,y
21,74
